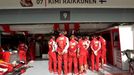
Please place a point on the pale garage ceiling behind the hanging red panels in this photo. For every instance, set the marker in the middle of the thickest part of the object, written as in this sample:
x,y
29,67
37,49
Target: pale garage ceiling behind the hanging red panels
x,y
48,28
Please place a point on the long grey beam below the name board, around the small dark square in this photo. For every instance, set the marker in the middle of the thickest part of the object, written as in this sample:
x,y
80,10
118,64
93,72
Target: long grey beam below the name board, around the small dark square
x,y
17,16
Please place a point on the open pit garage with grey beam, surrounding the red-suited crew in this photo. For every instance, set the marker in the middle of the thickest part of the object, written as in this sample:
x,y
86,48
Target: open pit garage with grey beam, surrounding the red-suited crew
x,y
112,19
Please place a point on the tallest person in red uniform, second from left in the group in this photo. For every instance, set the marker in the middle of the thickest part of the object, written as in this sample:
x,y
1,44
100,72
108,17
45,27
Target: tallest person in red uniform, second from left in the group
x,y
62,48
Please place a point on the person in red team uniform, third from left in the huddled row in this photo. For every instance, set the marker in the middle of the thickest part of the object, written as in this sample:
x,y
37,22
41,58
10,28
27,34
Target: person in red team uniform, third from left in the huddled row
x,y
72,51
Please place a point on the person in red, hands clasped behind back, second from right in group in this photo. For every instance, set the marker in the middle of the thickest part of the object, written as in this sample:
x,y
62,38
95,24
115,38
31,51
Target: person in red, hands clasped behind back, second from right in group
x,y
95,55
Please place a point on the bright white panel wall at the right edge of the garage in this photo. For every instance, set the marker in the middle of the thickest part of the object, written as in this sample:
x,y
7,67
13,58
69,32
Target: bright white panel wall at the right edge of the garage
x,y
126,42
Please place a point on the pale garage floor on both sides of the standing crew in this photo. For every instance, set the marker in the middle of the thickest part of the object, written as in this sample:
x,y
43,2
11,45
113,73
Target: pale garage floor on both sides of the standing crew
x,y
40,67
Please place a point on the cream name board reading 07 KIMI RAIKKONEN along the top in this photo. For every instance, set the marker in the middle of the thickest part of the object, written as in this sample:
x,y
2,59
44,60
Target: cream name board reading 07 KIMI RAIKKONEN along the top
x,y
22,4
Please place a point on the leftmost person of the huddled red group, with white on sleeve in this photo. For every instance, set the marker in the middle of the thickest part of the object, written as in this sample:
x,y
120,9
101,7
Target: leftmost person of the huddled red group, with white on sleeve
x,y
52,55
